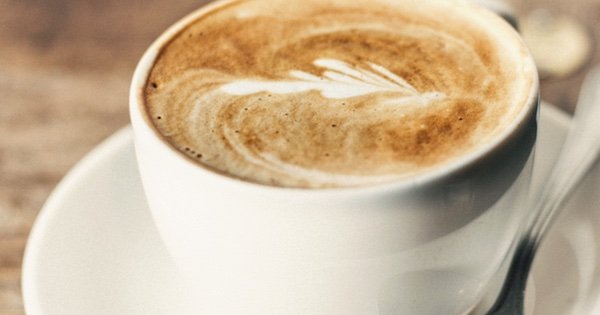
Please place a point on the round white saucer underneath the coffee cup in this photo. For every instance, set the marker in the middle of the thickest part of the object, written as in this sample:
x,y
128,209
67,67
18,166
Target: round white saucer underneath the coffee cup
x,y
94,248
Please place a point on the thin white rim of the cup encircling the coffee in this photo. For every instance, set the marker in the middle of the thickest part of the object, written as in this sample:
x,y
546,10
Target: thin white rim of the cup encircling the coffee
x,y
436,174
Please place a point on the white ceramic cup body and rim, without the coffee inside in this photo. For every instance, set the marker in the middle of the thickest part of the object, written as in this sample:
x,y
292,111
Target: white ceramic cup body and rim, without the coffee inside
x,y
427,245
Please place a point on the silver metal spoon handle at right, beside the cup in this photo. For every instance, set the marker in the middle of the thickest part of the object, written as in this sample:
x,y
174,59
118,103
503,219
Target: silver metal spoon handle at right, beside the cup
x,y
577,156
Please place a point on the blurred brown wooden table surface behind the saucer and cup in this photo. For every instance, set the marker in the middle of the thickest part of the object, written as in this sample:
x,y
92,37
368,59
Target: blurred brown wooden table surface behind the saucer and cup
x,y
65,68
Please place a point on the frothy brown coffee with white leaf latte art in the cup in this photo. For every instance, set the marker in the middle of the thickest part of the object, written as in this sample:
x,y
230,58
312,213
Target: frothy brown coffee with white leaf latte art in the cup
x,y
331,93
